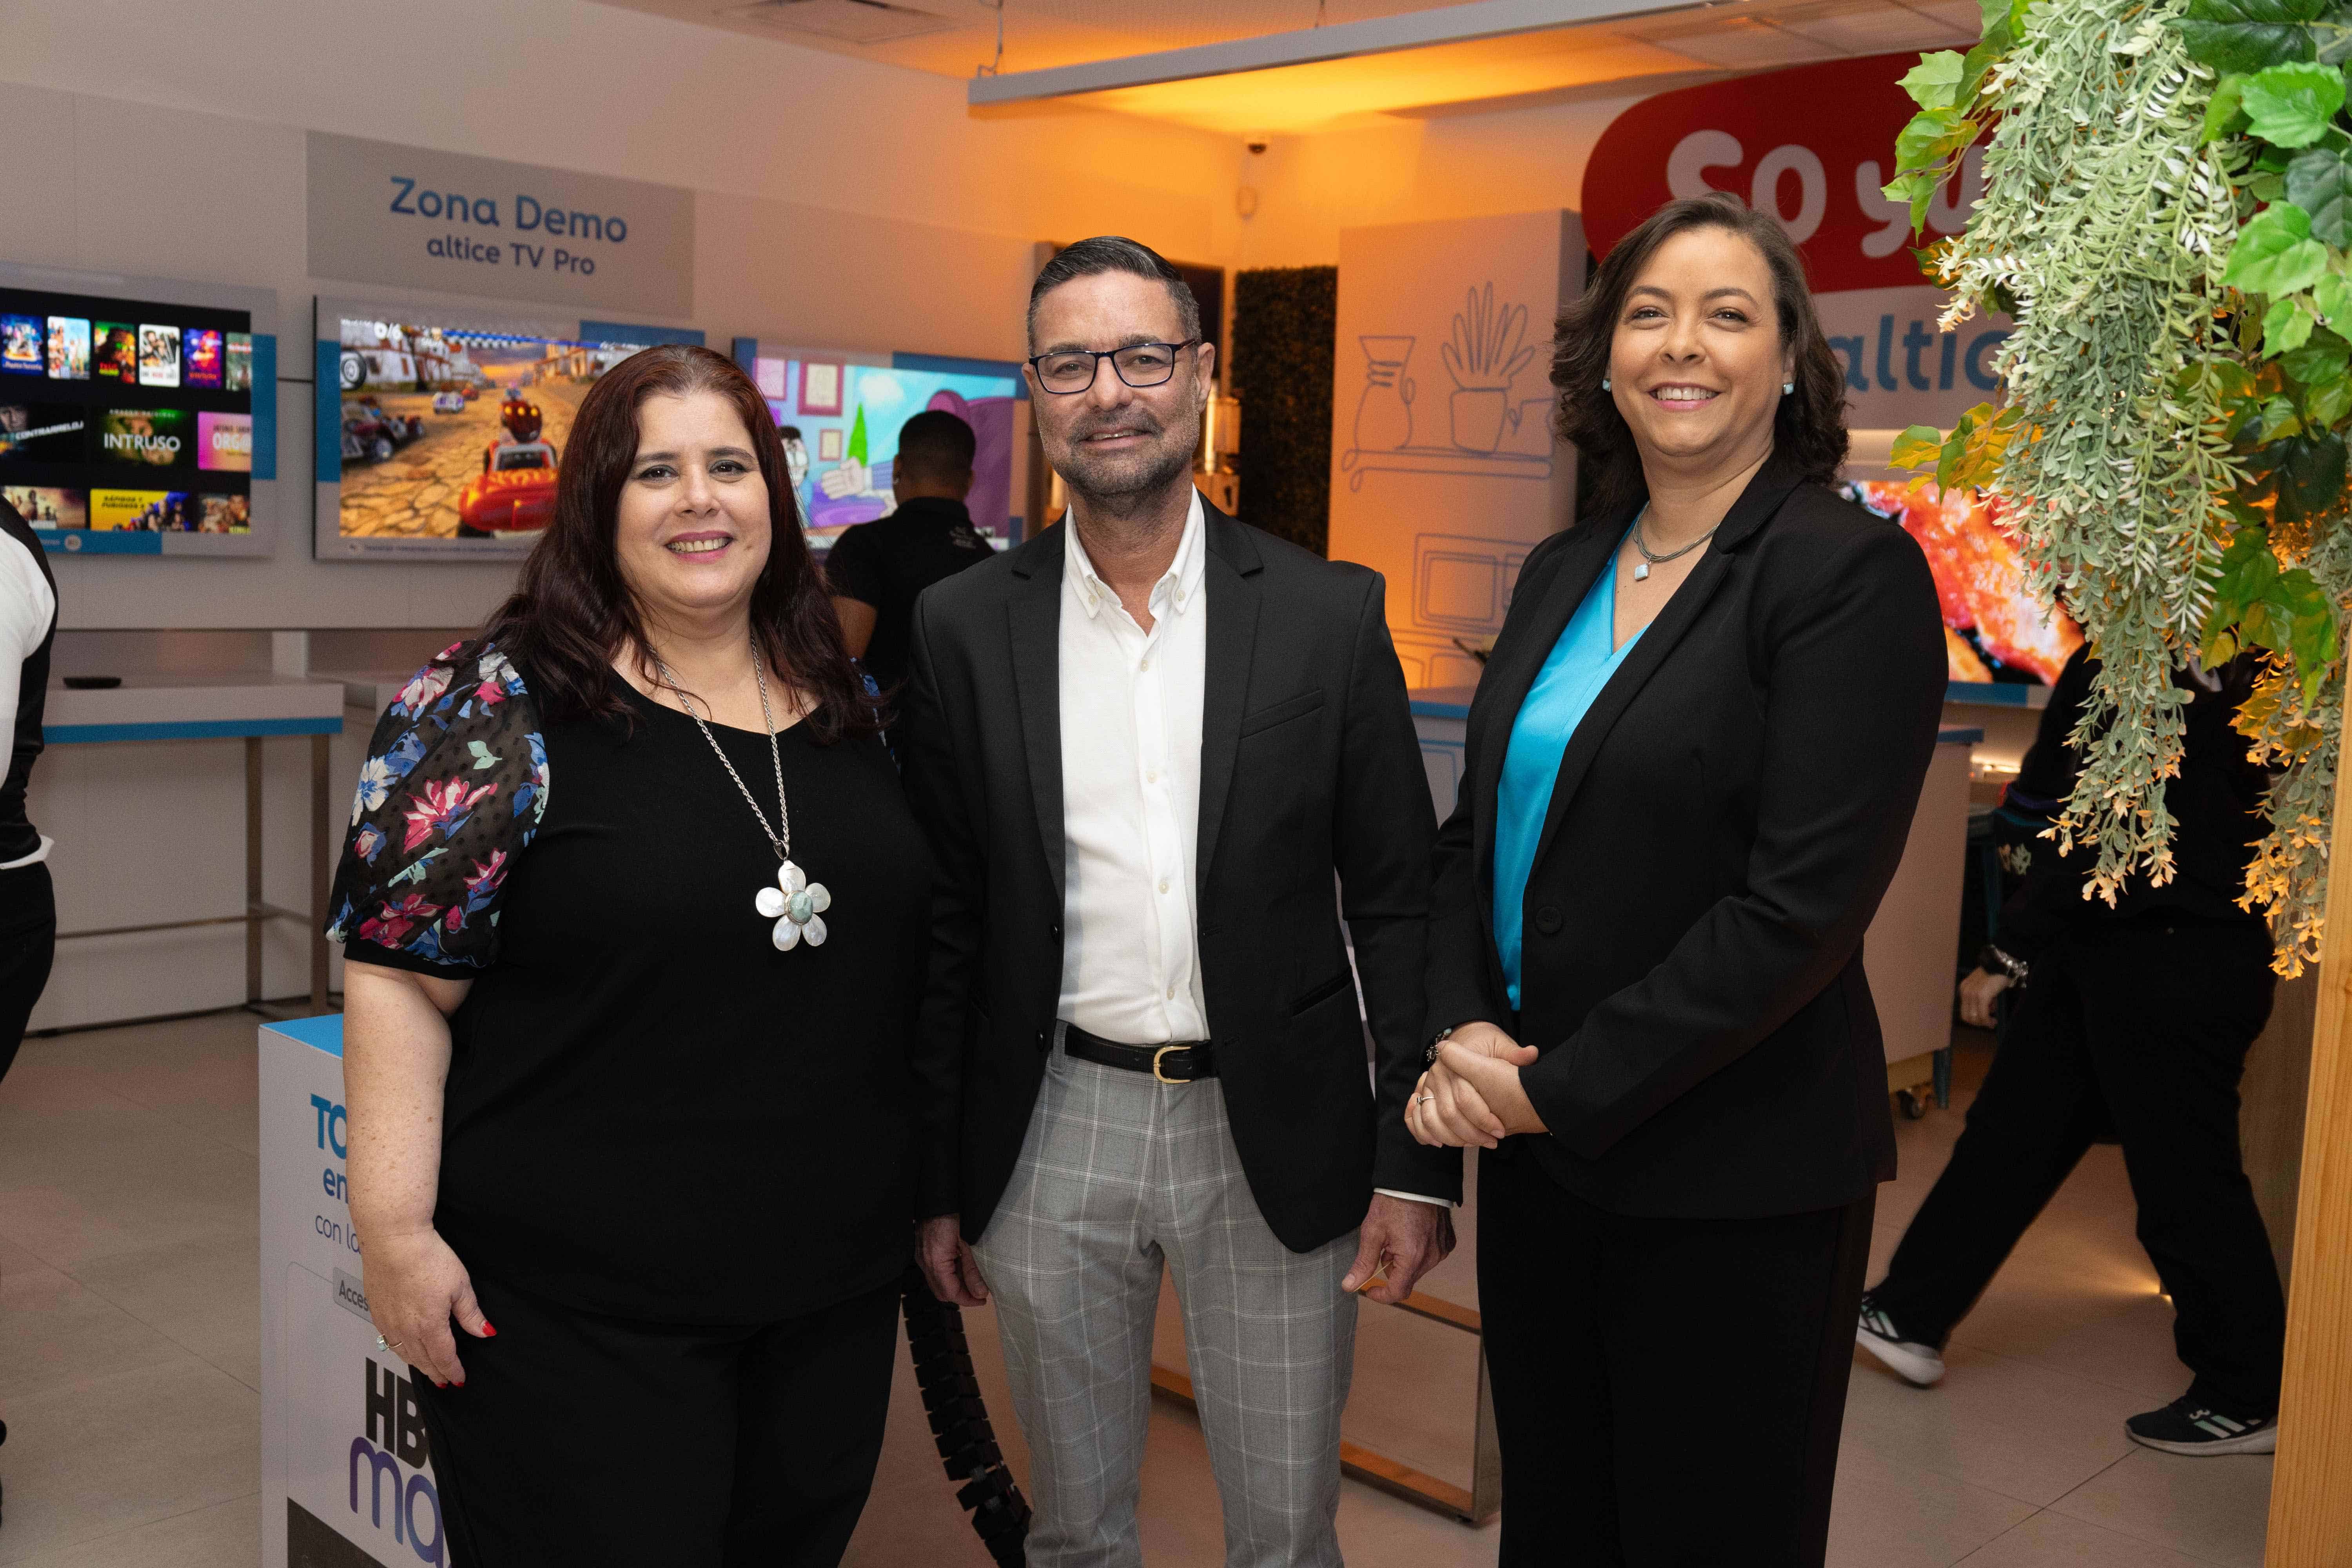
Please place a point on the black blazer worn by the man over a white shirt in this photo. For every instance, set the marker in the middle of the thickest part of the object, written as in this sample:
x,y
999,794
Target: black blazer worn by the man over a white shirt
x,y
1309,768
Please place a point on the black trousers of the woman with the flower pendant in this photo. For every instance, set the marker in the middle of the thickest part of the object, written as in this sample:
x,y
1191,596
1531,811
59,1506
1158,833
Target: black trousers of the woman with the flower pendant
x,y
592,1442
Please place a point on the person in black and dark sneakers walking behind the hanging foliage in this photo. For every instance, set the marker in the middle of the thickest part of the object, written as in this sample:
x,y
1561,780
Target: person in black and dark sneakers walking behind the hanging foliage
x,y
2132,1017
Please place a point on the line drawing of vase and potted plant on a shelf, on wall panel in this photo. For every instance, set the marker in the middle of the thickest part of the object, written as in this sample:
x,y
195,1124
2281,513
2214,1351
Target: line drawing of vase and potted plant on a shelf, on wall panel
x,y
1481,429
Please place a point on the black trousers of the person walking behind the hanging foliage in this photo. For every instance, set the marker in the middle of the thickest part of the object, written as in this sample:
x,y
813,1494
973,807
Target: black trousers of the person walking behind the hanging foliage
x,y
2139,1026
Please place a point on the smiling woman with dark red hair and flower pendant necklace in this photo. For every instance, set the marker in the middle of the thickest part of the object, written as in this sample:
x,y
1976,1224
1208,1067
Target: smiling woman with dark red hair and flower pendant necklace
x,y
636,923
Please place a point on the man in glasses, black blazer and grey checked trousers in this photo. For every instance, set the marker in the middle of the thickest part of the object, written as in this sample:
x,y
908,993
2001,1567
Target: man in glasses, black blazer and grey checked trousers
x,y
1144,744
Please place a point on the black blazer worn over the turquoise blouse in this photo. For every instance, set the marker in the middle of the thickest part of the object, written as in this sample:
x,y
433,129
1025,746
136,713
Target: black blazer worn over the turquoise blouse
x,y
1720,833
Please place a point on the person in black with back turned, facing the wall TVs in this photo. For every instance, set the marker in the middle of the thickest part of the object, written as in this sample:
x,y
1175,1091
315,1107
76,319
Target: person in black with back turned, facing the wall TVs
x,y
878,568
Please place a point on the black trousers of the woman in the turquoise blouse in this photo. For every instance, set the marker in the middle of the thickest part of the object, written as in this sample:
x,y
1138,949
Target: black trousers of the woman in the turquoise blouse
x,y
1669,1393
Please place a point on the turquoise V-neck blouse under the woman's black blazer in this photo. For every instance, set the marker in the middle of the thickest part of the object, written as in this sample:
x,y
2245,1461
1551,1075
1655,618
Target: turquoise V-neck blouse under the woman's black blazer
x,y
1565,688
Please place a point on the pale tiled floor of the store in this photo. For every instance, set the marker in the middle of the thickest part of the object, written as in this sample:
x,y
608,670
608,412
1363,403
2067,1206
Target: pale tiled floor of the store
x,y
131,1367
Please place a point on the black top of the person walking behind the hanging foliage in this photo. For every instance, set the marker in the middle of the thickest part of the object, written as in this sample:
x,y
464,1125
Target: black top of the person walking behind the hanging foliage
x,y
2217,805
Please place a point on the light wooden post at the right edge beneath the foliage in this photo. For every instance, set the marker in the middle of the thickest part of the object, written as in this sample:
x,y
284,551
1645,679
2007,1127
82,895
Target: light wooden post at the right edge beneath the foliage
x,y
2311,1487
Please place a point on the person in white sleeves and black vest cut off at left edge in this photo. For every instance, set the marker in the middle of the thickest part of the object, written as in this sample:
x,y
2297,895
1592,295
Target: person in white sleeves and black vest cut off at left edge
x,y
27,894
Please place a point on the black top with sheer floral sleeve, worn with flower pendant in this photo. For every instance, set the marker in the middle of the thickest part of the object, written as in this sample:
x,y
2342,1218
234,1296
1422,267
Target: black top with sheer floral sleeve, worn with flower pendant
x,y
650,1108
